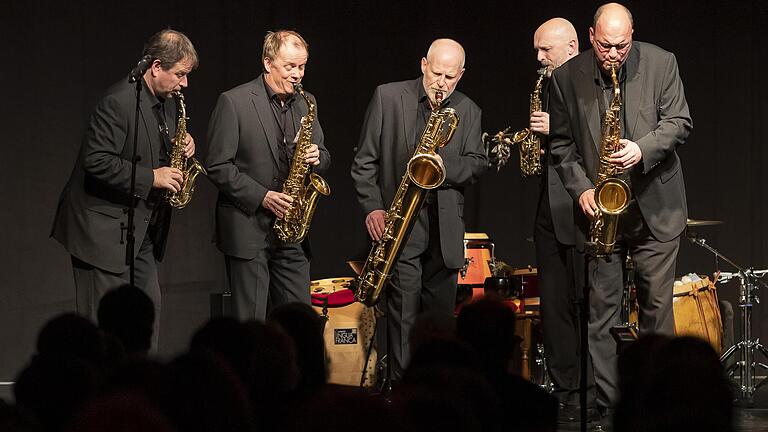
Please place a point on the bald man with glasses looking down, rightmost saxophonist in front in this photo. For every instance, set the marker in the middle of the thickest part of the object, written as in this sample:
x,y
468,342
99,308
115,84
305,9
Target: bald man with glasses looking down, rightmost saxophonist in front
x,y
654,121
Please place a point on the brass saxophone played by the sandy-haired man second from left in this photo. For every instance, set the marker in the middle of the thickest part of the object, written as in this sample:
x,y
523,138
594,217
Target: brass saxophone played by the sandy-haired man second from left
x,y
294,225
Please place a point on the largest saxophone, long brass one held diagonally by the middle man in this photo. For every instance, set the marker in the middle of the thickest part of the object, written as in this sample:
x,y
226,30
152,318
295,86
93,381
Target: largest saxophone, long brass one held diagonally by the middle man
x,y
423,173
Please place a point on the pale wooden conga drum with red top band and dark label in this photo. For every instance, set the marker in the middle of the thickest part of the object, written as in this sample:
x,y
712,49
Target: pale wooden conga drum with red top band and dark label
x,y
348,331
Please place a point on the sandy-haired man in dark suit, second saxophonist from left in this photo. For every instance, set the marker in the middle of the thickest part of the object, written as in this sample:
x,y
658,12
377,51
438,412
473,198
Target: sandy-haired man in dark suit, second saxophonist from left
x,y
252,136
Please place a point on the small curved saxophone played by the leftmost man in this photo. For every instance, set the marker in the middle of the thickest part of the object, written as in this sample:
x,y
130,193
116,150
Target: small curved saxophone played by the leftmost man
x,y
190,167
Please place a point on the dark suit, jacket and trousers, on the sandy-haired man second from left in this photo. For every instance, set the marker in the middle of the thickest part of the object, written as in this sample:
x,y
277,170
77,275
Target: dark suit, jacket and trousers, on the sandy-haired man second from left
x,y
243,162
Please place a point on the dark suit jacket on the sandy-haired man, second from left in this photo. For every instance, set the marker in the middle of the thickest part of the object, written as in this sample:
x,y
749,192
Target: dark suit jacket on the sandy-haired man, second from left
x,y
242,162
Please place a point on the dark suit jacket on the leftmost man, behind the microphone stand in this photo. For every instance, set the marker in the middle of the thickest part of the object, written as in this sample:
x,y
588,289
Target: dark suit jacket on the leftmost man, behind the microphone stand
x,y
93,204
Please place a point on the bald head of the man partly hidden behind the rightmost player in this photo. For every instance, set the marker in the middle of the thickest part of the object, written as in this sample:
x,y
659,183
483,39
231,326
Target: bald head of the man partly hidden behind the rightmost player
x,y
555,43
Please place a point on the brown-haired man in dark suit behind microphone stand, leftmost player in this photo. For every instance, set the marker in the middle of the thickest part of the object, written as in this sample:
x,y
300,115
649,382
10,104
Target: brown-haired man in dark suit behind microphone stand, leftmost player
x,y
91,218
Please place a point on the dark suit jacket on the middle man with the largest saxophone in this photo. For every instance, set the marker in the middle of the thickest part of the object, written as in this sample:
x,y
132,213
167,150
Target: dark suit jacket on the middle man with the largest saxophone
x,y
388,133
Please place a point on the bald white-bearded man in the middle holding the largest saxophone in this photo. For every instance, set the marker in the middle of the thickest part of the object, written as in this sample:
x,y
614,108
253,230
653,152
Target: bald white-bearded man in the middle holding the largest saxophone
x,y
425,276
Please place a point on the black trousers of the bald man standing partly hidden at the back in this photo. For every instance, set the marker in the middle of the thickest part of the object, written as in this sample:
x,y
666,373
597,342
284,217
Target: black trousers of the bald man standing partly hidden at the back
x,y
560,272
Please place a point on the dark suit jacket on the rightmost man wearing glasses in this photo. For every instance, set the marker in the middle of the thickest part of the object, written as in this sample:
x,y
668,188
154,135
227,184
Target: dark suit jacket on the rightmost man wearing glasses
x,y
656,118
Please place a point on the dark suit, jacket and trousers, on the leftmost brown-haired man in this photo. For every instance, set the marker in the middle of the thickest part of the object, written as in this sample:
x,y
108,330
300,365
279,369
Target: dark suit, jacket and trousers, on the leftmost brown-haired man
x,y
92,207
